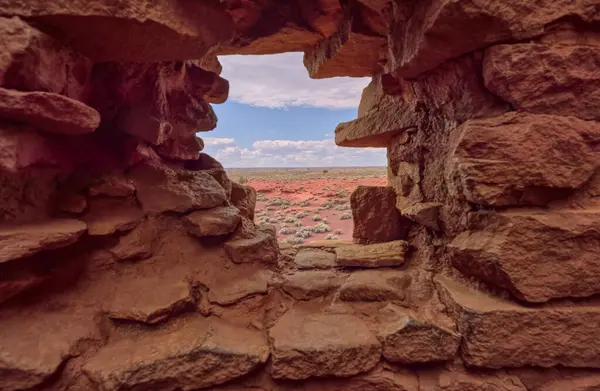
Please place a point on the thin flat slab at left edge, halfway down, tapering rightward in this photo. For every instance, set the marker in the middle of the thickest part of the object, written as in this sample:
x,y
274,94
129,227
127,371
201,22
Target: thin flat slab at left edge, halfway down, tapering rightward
x,y
28,239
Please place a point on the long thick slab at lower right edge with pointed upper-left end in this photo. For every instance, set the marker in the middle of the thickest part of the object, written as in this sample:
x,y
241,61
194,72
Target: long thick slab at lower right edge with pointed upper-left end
x,y
498,333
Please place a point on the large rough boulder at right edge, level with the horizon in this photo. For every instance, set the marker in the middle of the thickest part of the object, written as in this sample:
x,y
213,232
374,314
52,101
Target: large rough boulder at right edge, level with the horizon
x,y
504,160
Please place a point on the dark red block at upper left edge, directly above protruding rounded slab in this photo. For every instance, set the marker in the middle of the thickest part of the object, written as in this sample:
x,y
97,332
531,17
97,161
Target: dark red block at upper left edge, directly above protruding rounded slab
x,y
35,61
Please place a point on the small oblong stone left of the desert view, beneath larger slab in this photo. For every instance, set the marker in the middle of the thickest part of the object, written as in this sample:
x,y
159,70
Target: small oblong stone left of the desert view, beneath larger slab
x,y
217,221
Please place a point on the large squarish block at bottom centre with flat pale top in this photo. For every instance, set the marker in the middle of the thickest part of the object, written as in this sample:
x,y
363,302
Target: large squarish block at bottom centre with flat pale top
x,y
306,344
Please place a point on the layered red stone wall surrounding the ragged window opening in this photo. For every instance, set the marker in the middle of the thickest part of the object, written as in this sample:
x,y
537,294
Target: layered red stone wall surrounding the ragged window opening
x,y
129,261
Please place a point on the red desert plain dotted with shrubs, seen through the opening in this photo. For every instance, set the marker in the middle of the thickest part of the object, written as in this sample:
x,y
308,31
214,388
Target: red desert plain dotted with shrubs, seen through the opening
x,y
310,203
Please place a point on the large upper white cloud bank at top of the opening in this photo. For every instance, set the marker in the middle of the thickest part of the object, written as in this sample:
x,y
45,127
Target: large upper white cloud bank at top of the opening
x,y
280,81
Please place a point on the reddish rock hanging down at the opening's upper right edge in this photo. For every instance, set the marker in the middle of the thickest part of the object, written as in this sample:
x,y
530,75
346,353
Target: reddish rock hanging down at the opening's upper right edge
x,y
349,52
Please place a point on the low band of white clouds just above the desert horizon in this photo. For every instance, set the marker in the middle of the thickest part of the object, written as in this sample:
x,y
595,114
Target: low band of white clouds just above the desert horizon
x,y
288,153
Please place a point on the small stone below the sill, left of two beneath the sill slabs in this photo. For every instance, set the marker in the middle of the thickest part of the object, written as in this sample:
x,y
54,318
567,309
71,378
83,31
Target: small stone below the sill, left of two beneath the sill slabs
x,y
306,285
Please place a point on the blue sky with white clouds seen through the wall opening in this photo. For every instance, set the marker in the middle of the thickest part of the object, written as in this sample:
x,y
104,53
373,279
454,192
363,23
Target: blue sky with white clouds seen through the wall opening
x,y
276,116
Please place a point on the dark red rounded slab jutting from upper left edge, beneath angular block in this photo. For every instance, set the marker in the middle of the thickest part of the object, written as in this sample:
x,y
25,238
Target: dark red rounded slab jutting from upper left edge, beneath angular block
x,y
49,112
